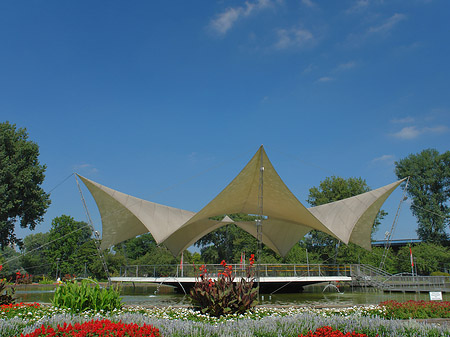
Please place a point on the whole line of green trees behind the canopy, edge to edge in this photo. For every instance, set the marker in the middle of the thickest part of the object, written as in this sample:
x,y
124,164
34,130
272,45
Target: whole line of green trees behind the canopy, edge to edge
x,y
68,248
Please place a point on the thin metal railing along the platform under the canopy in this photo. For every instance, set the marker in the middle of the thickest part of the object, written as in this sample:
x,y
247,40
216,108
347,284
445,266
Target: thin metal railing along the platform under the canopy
x,y
239,270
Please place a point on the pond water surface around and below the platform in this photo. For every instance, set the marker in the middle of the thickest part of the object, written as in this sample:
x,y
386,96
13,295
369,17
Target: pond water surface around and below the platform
x,y
151,295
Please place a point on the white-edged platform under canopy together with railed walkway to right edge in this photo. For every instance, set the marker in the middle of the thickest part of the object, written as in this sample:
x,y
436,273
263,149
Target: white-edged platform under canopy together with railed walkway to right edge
x,y
287,278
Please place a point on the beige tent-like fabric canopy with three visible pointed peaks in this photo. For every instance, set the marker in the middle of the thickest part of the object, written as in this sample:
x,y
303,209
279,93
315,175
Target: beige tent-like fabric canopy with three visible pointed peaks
x,y
288,220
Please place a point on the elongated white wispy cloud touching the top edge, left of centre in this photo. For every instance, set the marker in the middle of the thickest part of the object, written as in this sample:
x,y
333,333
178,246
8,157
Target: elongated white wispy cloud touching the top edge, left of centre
x,y
224,21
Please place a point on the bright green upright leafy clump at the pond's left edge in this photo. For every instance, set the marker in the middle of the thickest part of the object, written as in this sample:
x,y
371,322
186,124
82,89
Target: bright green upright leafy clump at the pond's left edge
x,y
79,296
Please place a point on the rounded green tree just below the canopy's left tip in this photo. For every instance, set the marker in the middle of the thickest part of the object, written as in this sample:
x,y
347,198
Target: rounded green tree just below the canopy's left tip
x,y
66,238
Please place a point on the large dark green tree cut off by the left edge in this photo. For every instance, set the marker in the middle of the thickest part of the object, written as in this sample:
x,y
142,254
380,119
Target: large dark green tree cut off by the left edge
x,y
22,200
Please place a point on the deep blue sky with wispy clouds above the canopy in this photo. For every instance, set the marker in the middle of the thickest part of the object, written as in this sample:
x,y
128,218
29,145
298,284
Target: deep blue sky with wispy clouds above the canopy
x,y
167,101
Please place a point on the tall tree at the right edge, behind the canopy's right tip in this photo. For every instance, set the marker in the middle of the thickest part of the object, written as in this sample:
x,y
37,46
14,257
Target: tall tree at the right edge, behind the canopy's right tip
x,y
429,189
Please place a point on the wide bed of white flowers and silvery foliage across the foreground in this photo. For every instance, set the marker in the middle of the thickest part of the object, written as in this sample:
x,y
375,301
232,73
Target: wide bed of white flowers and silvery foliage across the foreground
x,y
259,322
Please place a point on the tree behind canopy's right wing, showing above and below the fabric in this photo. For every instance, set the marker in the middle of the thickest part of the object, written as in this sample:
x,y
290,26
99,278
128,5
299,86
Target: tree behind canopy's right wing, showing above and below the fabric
x,y
329,190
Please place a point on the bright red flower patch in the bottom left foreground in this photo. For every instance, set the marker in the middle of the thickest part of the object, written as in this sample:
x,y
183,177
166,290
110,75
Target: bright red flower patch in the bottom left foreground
x,y
104,328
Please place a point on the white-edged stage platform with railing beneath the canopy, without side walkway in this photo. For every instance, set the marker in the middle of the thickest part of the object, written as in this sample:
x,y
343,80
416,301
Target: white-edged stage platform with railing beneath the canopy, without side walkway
x,y
270,277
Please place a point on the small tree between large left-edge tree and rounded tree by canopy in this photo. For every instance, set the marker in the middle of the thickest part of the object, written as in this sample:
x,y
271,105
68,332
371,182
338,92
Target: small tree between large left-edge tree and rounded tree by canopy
x,y
34,258
